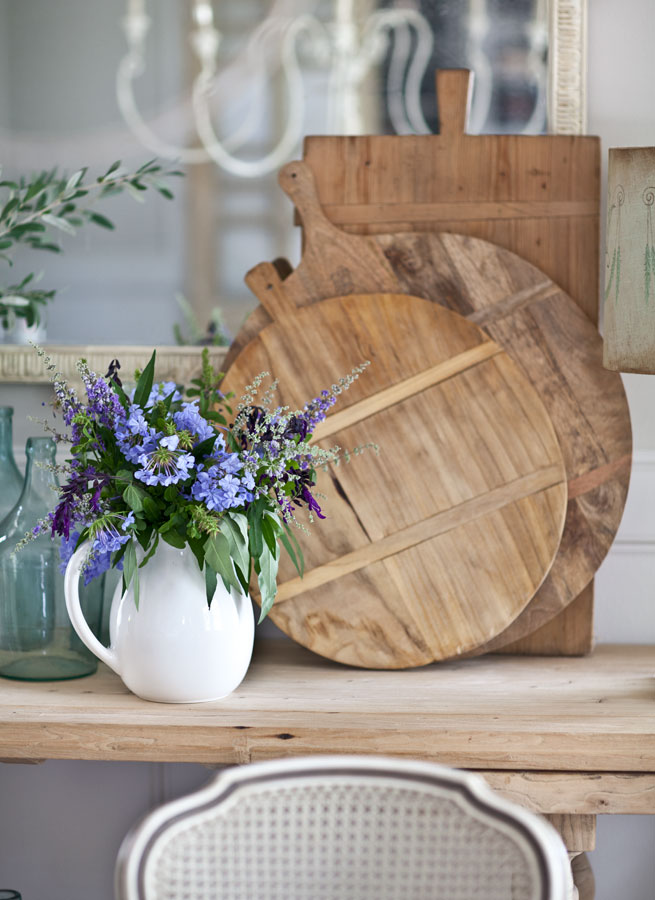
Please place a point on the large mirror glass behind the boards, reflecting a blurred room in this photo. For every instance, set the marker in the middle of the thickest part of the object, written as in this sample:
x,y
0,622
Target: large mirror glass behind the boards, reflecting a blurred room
x,y
170,269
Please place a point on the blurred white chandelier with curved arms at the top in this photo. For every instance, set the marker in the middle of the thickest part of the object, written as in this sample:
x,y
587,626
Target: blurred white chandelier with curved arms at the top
x,y
349,52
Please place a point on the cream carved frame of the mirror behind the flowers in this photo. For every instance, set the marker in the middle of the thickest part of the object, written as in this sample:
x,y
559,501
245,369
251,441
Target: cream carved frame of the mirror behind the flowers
x,y
567,114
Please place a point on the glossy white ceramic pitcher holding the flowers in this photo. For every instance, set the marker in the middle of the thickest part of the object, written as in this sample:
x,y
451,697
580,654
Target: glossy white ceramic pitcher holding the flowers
x,y
172,649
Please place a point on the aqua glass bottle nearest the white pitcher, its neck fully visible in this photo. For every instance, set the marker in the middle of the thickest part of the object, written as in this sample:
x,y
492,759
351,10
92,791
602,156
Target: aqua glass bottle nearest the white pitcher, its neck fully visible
x,y
37,641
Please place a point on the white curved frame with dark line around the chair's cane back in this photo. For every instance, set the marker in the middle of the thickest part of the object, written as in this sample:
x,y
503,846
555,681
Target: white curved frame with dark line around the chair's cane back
x,y
469,790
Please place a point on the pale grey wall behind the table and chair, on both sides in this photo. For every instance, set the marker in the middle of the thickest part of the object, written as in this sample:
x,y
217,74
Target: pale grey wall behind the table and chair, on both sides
x,y
61,823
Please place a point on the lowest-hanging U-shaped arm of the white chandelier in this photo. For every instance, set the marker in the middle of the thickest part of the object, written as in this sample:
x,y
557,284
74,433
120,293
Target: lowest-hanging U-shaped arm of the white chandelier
x,y
292,131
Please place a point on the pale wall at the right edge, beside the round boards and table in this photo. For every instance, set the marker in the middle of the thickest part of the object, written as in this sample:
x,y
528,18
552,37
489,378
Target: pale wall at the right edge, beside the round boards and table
x,y
621,111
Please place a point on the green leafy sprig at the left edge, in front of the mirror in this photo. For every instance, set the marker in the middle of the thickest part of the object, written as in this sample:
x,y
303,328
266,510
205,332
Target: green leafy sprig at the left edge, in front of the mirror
x,y
32,209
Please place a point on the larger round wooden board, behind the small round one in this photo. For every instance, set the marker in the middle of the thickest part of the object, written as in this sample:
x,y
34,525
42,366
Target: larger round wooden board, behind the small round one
x,y
542,329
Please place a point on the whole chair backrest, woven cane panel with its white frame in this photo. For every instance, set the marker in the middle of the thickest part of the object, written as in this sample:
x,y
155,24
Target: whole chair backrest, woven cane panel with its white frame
x,y
342,828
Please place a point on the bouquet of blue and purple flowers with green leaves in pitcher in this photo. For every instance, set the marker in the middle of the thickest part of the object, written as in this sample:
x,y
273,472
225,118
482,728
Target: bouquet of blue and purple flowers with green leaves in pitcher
x,y
165,464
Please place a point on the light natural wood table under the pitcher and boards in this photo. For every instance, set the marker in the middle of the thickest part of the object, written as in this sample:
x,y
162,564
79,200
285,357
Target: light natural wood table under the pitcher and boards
x,y
566,737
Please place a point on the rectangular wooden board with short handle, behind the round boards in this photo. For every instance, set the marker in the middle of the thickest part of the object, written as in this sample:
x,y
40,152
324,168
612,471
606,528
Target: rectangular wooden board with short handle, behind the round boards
x,y
538,196
